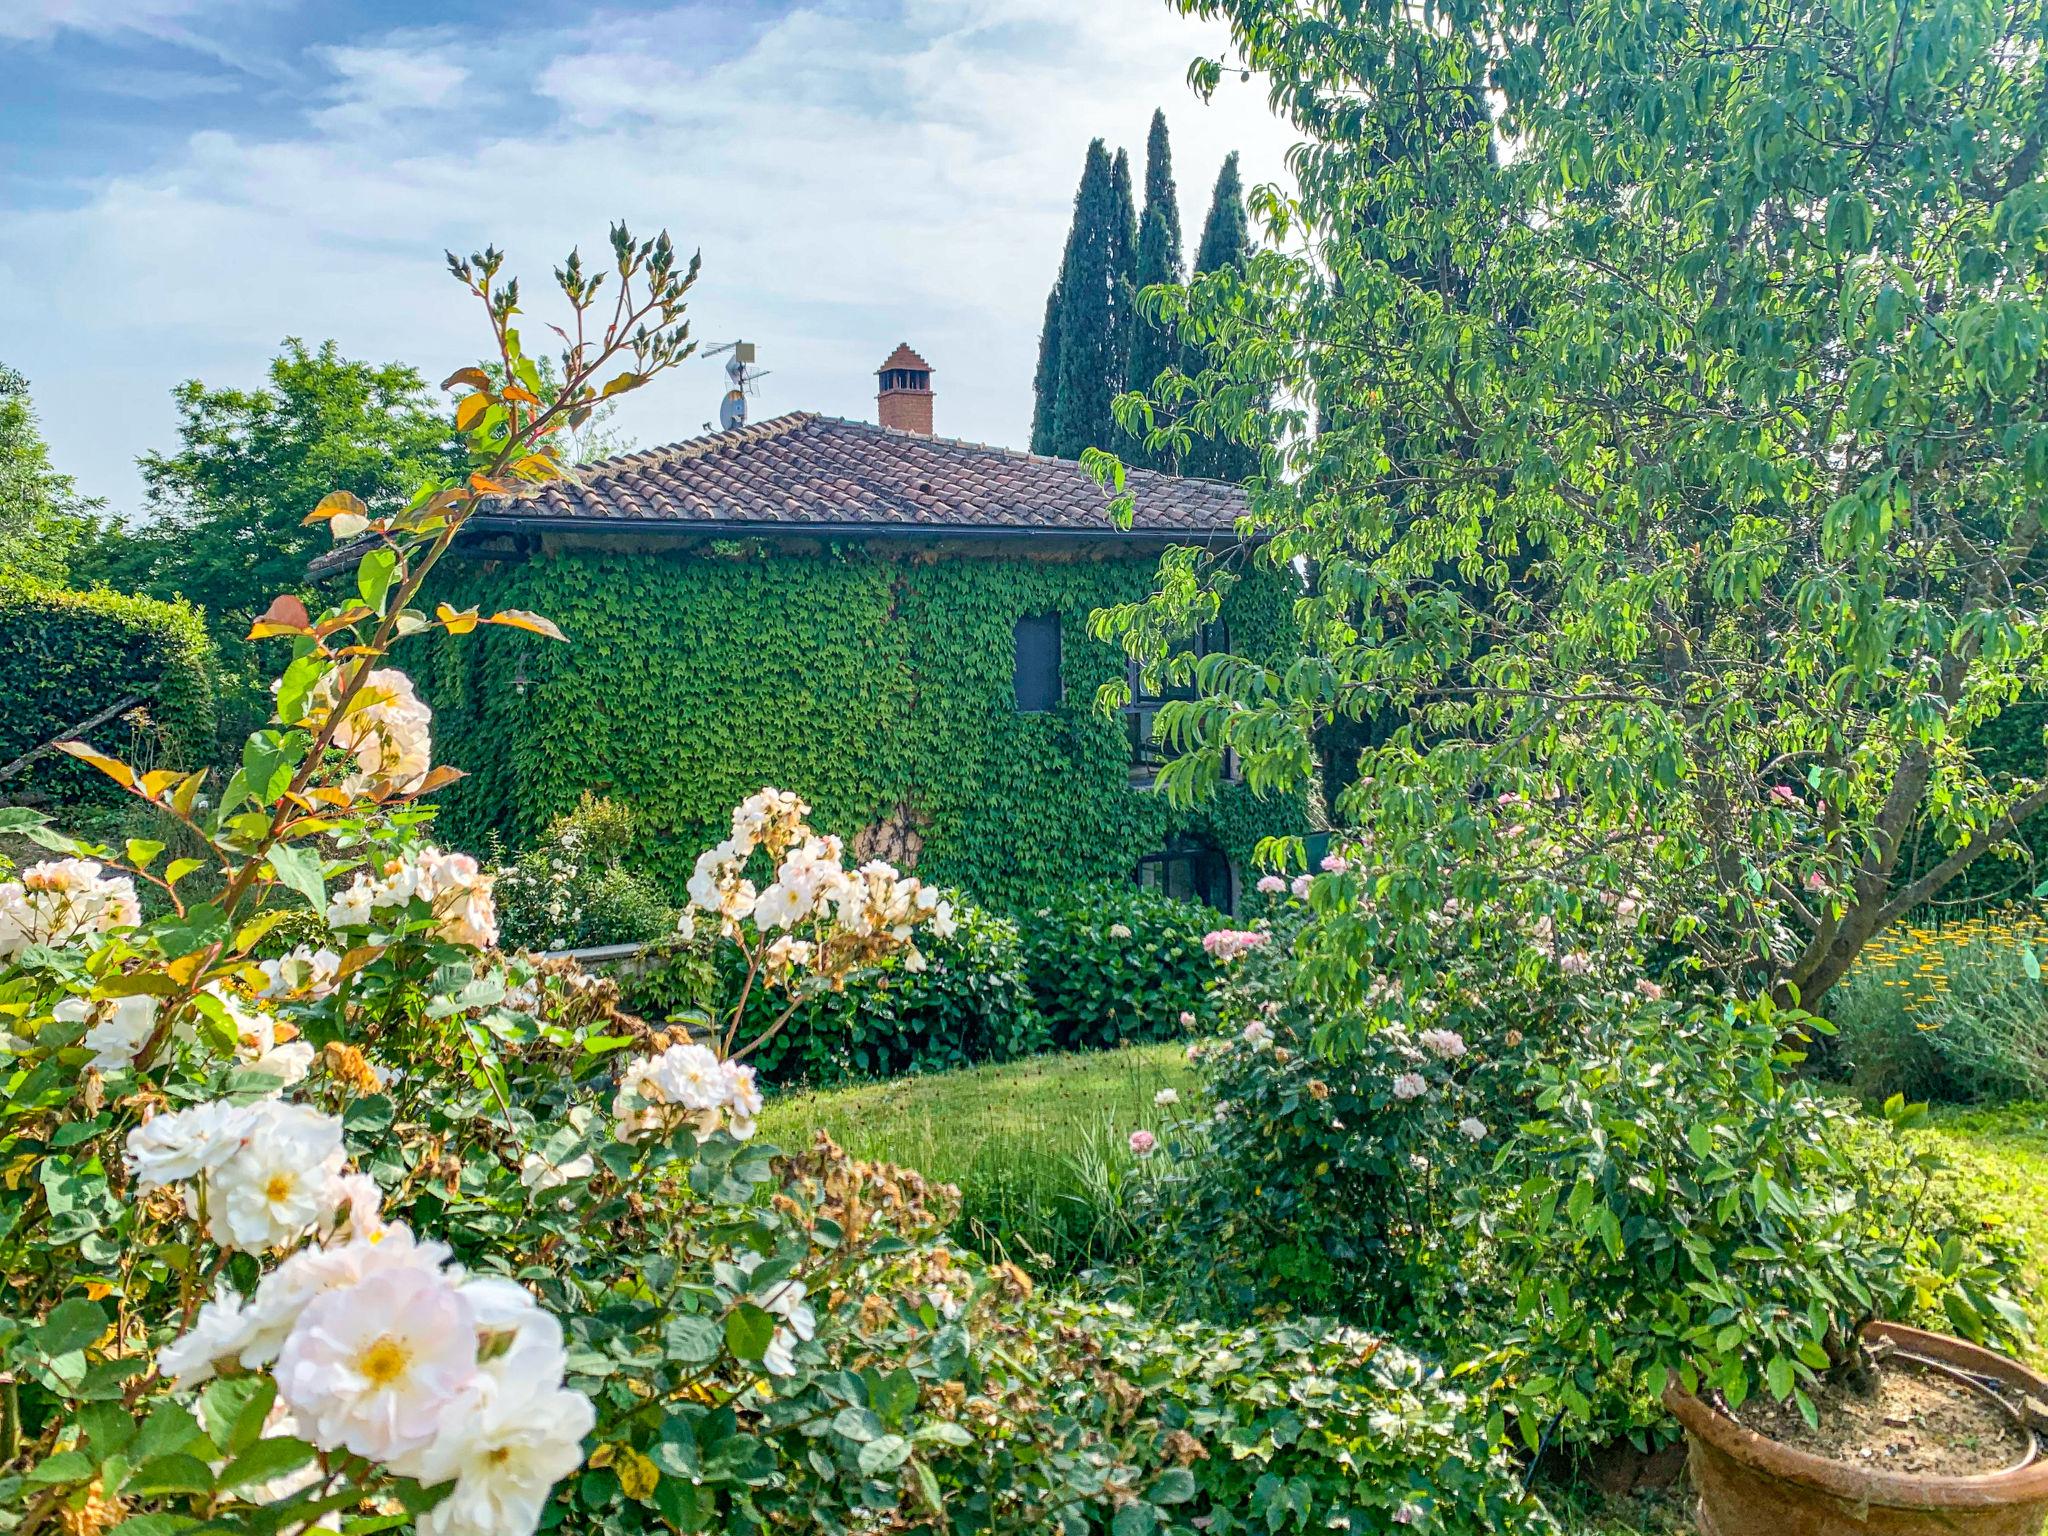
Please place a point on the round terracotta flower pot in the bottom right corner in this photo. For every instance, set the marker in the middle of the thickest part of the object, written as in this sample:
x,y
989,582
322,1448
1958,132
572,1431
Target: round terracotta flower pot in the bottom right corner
x,y
1752,1486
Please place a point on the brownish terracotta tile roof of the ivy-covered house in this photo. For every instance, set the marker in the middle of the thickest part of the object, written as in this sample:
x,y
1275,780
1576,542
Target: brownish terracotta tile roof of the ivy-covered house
x,y
808,470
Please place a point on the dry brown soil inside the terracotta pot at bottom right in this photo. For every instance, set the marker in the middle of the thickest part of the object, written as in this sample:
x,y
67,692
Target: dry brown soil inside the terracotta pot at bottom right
x,y
1916,1422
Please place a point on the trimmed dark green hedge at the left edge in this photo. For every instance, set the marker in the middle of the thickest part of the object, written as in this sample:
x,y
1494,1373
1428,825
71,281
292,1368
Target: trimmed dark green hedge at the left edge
x,y
67,654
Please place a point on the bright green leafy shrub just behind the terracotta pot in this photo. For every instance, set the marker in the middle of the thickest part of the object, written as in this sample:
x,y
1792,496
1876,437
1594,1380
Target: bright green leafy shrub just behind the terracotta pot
x,y
1680,1207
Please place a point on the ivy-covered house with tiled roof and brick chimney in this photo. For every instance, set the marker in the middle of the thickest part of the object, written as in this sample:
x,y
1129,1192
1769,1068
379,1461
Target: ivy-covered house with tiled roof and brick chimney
x,y
886,622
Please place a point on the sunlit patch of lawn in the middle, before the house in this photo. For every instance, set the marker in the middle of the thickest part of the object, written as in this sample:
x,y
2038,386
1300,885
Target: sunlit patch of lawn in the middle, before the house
x,y
1039,1148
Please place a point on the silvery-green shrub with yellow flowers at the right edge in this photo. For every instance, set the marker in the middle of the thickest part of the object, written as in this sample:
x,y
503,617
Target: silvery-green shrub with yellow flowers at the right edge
x,y
1957,1013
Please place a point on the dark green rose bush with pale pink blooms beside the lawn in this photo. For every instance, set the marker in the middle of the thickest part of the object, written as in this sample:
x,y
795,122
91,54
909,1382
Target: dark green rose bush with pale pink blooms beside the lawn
x,y
1328,1183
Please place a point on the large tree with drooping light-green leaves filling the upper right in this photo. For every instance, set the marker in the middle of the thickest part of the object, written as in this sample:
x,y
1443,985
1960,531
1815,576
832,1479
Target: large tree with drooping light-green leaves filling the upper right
x,y
1658,409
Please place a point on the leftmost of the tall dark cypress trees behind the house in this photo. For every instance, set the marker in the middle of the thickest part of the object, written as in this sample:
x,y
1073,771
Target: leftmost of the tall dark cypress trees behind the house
x,y
1089,316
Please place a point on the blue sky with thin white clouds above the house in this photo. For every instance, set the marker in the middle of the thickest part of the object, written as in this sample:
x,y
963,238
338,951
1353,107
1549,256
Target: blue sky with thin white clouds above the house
x,y
185,183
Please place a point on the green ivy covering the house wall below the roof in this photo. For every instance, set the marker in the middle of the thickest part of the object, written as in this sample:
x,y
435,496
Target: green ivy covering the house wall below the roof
x,y
873,681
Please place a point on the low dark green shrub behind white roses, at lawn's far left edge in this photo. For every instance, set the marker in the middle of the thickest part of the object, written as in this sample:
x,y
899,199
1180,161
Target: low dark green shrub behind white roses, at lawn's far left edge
x,y
970,1005
